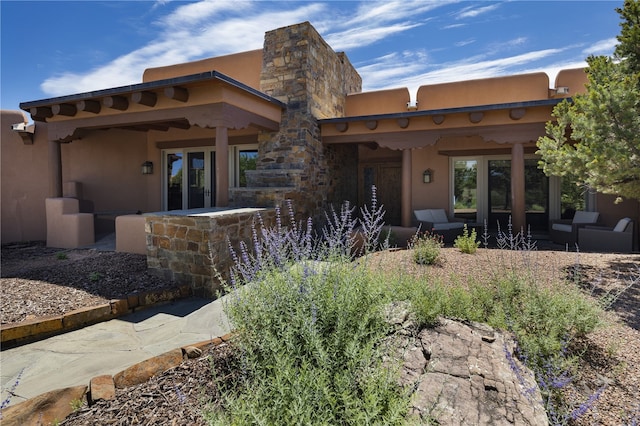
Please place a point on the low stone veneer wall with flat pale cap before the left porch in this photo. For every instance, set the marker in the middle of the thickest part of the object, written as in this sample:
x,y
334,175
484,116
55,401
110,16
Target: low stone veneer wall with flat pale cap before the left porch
x,y
185,248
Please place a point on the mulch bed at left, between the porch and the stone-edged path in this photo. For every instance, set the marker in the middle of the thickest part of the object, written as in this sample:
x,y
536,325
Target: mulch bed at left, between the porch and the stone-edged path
x,y
38,281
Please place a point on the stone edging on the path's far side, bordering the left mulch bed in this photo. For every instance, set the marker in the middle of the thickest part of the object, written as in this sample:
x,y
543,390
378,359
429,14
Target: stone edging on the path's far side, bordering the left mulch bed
x,y
12,335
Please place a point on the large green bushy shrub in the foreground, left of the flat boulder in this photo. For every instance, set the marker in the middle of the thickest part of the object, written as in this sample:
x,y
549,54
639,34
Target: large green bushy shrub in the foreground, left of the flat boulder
x,y
310,341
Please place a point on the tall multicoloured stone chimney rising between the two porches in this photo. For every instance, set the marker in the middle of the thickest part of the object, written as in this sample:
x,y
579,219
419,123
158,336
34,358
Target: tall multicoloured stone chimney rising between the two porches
x,y
300,69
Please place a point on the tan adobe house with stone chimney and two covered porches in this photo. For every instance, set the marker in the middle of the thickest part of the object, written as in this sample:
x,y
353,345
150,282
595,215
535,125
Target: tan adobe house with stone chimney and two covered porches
x,y
289,121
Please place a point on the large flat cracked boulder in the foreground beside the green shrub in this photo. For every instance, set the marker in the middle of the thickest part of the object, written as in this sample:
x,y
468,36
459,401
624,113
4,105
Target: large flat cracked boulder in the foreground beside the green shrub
x,y
461,375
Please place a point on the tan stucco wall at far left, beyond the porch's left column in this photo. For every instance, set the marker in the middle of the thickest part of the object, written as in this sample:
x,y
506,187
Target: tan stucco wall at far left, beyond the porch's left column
x,y
24,179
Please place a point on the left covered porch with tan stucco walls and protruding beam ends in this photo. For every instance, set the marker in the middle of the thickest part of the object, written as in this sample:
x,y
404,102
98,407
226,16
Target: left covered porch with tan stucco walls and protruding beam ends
x,y
206,109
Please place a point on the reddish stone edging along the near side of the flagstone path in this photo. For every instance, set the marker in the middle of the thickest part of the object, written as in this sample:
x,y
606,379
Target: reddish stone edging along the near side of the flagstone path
x,y
56,405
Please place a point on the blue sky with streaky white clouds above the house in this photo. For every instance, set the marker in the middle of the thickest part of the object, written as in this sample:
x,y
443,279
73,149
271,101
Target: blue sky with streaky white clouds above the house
x,y
56,48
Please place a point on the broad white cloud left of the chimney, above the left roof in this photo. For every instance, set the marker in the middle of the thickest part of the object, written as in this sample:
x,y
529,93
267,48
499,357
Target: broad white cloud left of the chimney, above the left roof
x,y
180,40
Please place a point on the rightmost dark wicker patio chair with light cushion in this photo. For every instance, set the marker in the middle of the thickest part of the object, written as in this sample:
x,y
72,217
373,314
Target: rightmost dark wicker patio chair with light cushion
x,y
617,239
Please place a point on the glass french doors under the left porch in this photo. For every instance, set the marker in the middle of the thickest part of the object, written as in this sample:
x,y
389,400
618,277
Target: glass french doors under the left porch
x,y
189,180
